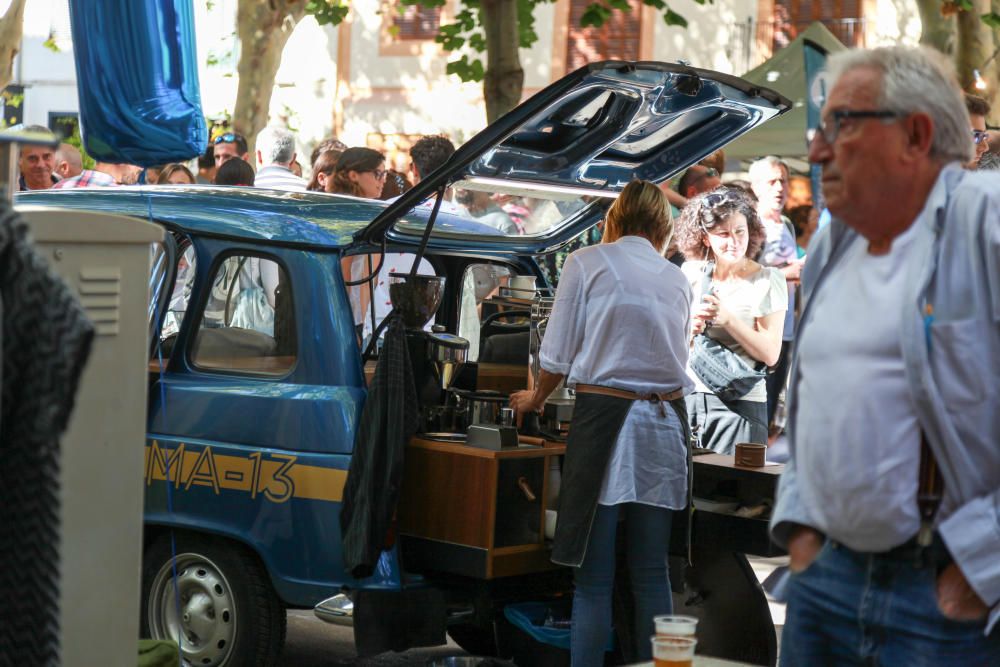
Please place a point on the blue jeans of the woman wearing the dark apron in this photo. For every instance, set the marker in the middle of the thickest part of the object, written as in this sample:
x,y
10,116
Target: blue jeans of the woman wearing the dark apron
x,y
647,541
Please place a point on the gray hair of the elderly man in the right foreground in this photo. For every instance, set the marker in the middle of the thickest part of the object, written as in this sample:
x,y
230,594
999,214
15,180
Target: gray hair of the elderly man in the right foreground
x,y
916,79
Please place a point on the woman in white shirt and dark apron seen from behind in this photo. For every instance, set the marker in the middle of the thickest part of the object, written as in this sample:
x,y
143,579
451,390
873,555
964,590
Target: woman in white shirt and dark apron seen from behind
x,y
618,333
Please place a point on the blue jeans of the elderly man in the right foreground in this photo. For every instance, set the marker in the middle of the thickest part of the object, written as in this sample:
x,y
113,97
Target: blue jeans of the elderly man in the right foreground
x,y
849,608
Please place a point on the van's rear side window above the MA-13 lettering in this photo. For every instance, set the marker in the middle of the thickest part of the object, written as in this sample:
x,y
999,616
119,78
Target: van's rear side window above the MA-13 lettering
x,y
248,325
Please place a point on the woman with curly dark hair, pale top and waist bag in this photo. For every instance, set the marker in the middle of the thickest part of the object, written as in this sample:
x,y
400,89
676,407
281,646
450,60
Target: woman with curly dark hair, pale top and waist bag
x,y
743,308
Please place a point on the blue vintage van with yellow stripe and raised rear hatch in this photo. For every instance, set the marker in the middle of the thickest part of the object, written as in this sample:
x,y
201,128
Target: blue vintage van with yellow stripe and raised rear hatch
x,y
256,378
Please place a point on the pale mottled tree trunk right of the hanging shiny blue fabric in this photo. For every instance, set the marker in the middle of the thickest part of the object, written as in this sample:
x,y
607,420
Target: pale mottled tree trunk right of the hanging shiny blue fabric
x,y
263,28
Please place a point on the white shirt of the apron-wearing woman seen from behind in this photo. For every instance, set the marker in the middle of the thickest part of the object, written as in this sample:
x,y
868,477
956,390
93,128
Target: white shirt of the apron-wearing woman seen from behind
x,y
621,319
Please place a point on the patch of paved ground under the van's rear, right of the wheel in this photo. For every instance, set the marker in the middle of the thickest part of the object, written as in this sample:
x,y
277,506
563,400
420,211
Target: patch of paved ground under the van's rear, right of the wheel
x,y
313,643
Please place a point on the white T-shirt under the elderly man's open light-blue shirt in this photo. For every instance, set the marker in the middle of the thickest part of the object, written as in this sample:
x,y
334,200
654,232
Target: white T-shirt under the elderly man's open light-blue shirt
x,y
853,454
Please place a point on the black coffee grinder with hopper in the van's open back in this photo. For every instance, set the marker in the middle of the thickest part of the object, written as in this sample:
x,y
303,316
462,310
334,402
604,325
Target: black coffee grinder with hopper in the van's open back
x,y
435,357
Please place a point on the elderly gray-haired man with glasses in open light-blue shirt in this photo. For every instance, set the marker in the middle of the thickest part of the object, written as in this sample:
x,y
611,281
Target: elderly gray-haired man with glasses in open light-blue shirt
x,y
890,504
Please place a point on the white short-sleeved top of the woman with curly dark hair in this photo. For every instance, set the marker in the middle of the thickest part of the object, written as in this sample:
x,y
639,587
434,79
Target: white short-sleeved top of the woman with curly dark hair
x,y
761,294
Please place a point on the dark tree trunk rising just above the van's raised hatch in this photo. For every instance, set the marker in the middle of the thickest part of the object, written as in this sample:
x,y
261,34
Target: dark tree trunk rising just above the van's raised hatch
x,y
503,80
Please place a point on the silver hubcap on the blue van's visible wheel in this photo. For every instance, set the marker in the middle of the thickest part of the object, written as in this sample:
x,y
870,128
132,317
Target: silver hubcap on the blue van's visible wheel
x,y
204,619
